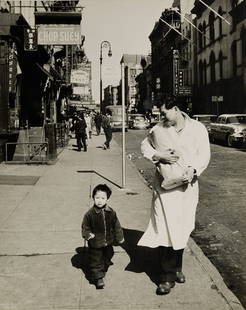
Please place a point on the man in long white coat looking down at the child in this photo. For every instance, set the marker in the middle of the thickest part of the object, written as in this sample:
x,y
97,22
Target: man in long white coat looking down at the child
x,y
173,211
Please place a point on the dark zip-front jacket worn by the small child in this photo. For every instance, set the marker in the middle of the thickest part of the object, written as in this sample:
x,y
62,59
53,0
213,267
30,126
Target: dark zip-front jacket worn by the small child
x,y
104,224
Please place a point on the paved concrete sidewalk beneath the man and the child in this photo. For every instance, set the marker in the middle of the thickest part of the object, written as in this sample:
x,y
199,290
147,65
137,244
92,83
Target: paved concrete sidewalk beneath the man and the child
x,y
40,240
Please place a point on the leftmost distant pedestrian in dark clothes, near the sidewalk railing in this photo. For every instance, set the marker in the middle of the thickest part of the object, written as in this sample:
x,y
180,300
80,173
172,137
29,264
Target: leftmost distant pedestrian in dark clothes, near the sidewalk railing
x,y
79,127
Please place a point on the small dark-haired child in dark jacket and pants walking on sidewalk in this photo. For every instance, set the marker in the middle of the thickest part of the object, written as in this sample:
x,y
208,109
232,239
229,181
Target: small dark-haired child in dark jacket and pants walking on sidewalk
x,y
101,228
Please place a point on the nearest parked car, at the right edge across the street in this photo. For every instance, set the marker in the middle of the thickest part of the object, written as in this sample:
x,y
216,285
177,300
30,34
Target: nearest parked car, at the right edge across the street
x,y
228,128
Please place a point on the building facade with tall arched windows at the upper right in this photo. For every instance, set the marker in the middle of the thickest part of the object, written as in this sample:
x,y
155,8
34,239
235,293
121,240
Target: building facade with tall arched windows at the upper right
x,y
221,57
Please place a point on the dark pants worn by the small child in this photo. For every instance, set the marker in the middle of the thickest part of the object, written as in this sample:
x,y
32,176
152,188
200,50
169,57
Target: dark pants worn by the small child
x,y
100,260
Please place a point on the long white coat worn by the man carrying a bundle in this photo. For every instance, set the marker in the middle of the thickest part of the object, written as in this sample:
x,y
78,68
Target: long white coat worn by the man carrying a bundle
x,y
172,217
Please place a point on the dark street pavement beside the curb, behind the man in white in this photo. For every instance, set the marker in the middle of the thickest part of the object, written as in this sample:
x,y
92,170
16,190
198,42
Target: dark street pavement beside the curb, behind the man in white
x,y
220,228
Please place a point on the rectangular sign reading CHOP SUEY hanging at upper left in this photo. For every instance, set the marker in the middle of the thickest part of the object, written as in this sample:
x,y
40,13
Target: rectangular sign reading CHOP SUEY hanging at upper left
x,y
59,34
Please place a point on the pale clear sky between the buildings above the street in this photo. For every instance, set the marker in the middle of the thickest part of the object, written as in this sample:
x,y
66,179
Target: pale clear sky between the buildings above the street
x,y
126,24
